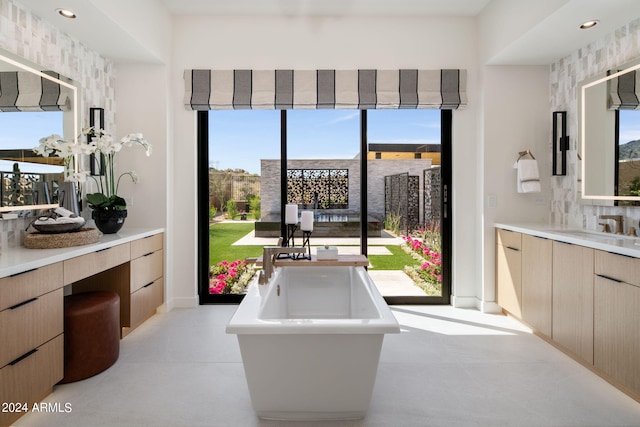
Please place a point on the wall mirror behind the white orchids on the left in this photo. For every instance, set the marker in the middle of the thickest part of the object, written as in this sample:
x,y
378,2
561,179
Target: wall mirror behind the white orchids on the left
x,y
34,103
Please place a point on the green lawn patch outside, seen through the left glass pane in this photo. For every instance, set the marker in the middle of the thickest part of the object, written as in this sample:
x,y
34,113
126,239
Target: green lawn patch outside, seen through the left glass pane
x,y
223,235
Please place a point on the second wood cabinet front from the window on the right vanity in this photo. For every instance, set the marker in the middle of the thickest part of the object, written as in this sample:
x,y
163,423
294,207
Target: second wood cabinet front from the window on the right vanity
x,y
537,275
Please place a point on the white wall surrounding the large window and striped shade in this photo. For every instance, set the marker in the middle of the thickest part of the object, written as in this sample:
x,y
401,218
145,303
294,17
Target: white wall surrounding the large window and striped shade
x,y
333,43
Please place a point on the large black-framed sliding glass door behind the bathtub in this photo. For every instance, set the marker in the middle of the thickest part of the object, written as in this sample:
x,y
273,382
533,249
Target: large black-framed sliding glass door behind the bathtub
x,y
402,157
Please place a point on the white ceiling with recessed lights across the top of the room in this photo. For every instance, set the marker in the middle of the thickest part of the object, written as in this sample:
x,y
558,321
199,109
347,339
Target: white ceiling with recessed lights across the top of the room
x,y
519,32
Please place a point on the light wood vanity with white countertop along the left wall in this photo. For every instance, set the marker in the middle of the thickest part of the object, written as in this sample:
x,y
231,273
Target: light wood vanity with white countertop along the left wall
x,y
33,283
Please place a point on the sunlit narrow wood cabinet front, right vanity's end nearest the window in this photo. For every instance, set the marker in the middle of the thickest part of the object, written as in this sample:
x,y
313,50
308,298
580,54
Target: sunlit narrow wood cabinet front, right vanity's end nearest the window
x,y
509,271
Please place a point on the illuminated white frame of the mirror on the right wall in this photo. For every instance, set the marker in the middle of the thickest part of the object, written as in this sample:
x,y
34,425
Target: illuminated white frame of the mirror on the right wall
x,y
584,85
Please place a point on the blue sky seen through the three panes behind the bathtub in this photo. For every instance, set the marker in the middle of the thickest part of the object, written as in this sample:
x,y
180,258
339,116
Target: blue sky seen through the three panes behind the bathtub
x,y
238,139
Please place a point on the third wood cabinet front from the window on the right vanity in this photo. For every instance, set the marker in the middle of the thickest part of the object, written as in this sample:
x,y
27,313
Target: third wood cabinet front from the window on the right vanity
x,y
572,316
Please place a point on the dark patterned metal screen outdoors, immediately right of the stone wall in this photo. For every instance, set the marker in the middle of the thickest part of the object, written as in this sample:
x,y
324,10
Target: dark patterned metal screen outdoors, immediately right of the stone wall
x,y
401,198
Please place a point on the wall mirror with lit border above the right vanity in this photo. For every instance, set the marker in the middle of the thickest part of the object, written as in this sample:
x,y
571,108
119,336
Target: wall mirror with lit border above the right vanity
x,y
609,135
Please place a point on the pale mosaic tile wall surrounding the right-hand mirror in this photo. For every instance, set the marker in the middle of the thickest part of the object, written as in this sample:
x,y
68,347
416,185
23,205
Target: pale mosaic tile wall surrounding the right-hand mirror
x,y
619,47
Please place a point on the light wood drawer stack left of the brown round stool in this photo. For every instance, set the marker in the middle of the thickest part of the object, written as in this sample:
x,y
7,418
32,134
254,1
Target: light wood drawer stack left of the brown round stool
x,y
31,337
